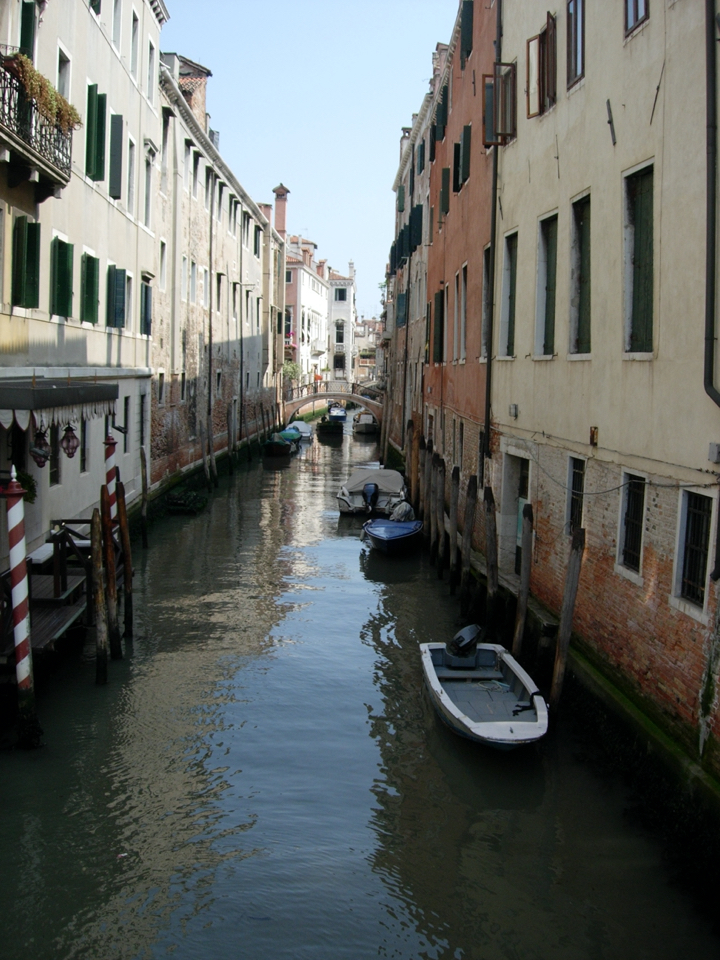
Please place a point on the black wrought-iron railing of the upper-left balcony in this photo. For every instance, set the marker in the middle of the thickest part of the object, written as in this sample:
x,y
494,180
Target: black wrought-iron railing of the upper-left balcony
x,y
20,116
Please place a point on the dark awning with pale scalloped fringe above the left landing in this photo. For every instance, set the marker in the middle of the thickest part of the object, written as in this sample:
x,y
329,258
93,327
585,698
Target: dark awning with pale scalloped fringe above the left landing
x,y
51,402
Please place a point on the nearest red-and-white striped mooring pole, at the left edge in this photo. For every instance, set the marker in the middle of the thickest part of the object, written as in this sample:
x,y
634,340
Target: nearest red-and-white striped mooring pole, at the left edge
x,y
28,726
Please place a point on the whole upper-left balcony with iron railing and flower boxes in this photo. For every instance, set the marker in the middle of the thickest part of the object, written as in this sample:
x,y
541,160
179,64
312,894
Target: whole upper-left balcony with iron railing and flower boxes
x,y
36,149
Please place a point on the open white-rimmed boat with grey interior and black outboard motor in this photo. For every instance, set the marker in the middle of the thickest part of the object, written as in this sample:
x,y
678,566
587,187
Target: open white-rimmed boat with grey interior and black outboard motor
x,y
481,692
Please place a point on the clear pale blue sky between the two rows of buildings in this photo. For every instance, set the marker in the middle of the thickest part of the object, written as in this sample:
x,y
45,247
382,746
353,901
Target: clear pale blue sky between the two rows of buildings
x,y
314,94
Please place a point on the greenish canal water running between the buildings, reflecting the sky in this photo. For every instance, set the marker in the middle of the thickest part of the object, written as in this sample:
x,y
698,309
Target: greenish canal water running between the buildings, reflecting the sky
x,y
264,777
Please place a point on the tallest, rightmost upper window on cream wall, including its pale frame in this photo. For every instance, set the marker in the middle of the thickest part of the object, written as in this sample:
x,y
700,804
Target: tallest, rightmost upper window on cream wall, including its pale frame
x,y
639,262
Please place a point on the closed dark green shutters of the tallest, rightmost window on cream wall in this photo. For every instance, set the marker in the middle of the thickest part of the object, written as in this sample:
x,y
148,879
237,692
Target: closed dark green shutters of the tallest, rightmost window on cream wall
x,y
640,188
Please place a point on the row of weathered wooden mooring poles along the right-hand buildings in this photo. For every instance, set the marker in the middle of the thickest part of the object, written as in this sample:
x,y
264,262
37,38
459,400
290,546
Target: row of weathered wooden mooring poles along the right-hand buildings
x,y
451,547
